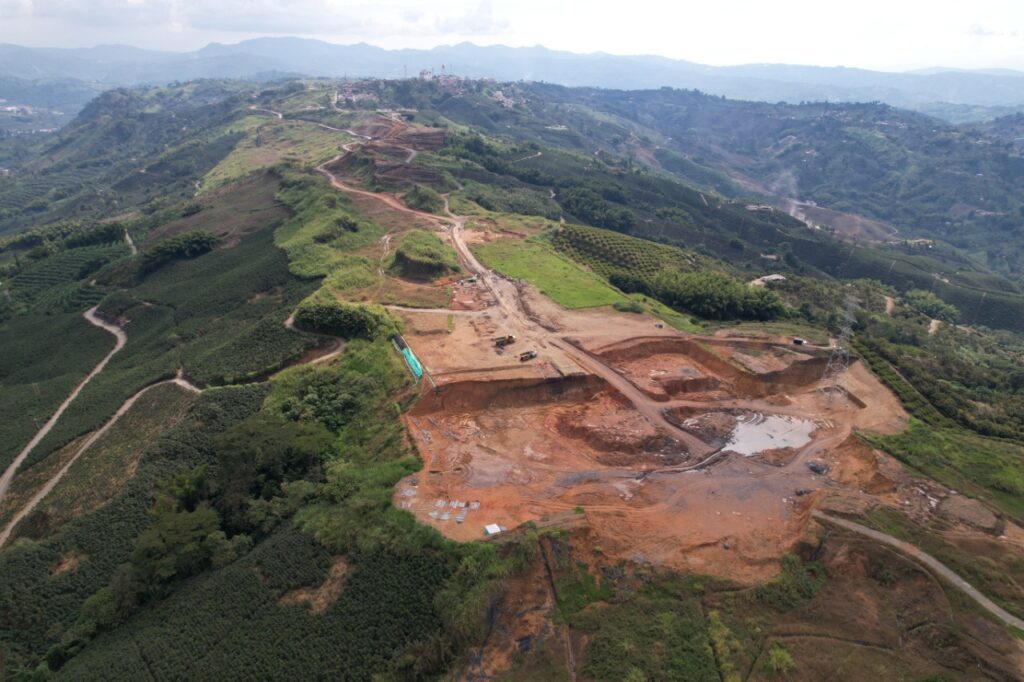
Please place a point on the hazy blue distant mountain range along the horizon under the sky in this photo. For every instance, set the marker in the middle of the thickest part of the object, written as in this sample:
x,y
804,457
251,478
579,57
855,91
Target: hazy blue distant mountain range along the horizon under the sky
x,y
955,95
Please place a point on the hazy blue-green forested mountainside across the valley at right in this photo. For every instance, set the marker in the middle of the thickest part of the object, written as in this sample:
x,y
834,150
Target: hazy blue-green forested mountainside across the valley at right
x,y
921,178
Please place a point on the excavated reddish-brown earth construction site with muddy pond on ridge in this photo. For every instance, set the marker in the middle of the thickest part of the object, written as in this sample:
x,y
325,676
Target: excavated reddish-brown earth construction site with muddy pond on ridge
x,y
687,452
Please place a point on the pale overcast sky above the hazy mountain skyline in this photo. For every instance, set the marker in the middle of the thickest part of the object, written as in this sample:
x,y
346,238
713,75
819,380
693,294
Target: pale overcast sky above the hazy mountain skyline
x,y
890,35
